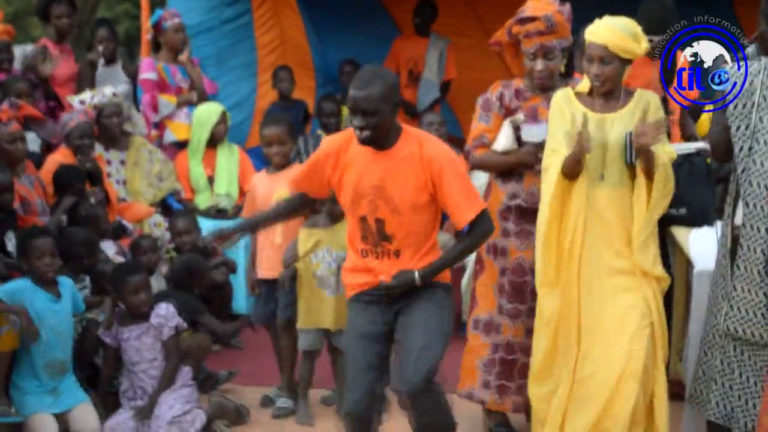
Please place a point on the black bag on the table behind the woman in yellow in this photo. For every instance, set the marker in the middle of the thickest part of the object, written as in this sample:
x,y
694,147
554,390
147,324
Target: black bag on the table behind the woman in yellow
x,y
694,202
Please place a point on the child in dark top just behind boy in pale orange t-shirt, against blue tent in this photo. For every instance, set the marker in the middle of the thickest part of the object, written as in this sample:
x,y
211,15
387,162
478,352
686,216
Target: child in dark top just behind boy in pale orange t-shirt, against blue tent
x,y
295,110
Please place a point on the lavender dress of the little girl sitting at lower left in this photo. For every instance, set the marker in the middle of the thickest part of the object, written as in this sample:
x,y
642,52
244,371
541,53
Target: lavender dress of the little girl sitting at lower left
x,y
141,346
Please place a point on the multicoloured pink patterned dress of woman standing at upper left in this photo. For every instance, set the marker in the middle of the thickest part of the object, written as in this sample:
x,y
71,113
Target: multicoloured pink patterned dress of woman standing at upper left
x,y
159,84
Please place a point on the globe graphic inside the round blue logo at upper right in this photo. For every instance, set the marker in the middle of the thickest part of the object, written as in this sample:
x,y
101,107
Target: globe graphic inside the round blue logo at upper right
x,y
713,59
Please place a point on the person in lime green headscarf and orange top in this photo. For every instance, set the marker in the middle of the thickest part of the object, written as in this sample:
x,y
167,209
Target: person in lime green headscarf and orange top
x,y
213,172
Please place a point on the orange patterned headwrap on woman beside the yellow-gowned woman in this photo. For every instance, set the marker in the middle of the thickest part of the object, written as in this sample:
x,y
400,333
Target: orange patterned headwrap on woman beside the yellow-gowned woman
x,y
536,23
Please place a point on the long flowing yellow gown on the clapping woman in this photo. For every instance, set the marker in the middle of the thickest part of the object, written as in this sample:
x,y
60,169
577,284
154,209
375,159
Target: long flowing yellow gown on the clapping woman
x,y
600,337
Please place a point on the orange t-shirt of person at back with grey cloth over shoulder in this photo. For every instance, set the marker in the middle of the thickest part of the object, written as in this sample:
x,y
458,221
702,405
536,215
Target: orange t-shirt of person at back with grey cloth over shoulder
x,y
406,58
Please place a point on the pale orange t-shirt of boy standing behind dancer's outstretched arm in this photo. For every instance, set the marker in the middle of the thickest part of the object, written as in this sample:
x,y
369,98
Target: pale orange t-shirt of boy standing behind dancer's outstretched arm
x,y
264,192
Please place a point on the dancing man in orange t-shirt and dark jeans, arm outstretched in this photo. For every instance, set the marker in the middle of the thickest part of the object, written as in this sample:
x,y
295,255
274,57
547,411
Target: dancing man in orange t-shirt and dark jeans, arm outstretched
x,y
392,182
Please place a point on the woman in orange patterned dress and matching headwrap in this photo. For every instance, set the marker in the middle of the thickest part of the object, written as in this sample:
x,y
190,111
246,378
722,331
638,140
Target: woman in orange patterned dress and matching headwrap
x,y
494,368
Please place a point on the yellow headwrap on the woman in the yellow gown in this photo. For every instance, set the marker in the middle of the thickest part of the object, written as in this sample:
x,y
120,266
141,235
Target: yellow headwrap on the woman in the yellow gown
x,y
622,36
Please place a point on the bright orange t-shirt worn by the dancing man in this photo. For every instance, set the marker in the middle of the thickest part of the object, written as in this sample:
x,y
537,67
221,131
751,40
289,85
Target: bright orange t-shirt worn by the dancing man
x,y
392,199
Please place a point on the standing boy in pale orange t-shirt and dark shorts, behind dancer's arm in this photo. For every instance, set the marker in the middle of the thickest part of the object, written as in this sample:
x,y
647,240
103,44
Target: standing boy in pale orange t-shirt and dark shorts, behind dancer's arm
x,y
275,307
